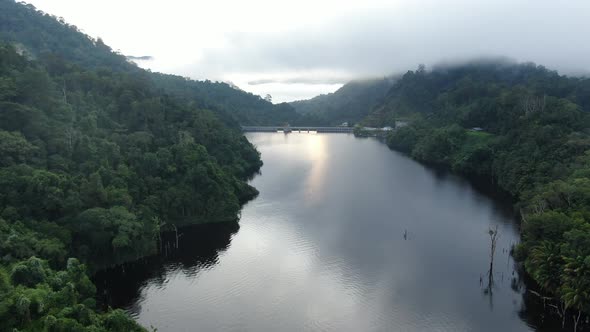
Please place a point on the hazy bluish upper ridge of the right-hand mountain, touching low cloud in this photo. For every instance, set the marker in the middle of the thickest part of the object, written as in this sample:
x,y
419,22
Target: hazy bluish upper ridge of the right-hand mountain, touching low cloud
x,y
423,92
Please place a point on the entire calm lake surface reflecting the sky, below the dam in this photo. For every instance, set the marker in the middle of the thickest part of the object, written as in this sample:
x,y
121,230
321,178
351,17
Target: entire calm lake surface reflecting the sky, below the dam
x,y
323,249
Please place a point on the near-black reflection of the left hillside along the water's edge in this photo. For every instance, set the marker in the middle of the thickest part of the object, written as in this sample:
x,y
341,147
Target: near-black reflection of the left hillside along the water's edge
x,y
199,248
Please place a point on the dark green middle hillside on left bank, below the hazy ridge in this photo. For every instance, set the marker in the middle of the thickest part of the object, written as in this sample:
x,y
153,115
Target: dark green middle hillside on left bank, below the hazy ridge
x,y
101,153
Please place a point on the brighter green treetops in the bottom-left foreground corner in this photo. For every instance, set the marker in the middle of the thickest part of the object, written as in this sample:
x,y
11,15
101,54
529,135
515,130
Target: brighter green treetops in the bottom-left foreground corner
x,y
38,298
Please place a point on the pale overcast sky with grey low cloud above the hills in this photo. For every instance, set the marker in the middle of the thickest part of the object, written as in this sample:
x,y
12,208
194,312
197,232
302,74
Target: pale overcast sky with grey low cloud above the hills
x,y
298,49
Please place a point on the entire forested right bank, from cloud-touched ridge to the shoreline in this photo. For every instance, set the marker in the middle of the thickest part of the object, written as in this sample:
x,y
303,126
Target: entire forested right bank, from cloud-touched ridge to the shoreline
x,y
524,127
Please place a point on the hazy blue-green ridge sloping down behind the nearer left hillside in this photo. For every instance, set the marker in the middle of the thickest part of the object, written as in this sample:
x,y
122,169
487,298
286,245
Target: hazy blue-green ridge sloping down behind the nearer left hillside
x,y
36,35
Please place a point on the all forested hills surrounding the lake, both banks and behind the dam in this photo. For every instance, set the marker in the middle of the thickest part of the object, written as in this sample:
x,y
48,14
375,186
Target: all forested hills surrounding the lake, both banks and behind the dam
x,y
99,157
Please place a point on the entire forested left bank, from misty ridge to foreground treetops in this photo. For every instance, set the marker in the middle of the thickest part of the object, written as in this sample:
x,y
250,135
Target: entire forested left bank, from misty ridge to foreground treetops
x,y
97,158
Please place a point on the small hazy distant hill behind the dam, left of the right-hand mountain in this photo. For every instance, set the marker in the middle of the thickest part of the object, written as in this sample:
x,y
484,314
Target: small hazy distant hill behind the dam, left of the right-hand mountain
x,y
350,103
